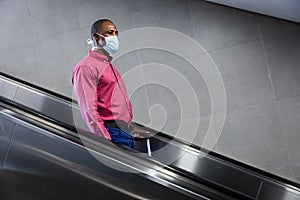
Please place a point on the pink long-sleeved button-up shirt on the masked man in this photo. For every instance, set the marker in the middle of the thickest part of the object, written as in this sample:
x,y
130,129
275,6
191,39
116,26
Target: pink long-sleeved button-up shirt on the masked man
x,y
99,95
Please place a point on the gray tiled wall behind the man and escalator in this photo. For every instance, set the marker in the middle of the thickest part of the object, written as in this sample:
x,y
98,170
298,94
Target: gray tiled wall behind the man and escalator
x,y
257,57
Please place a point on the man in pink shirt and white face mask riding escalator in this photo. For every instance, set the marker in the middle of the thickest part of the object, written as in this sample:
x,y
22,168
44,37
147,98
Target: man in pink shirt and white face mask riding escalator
x,y
100,90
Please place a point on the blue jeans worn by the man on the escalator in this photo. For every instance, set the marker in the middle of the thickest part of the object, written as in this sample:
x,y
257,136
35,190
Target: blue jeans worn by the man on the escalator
x,y
119,136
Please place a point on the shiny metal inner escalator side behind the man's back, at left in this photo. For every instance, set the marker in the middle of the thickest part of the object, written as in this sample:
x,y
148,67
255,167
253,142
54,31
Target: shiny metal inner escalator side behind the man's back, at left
x,y
37,100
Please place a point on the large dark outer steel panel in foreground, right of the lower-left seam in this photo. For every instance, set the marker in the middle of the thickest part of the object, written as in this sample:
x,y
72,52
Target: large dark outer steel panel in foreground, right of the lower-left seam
x,y
41,165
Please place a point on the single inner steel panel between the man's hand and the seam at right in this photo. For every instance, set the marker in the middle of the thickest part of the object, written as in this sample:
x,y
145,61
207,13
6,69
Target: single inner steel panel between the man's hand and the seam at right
x,y
204,167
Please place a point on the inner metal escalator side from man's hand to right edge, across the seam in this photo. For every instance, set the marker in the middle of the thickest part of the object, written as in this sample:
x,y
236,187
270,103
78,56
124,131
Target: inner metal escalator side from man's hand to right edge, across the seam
x,y
220,173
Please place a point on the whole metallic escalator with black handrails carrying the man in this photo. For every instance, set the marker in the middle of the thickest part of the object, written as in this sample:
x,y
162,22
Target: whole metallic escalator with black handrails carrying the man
x,y
45,155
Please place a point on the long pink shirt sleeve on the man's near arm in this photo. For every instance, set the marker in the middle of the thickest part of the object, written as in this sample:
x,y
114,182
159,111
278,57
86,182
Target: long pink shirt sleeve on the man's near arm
x,y
85,88
